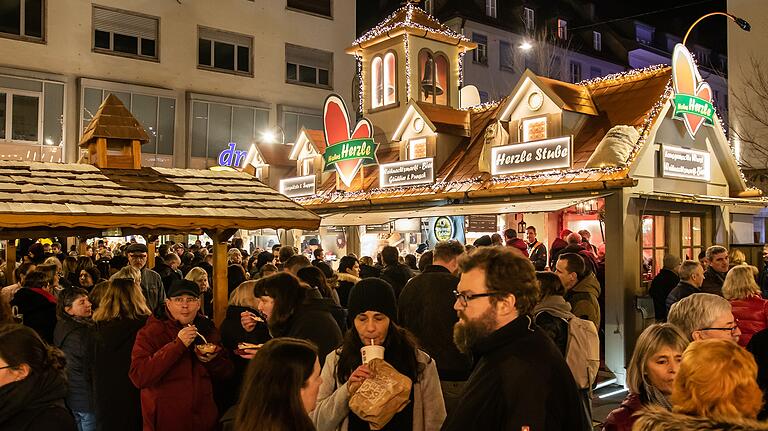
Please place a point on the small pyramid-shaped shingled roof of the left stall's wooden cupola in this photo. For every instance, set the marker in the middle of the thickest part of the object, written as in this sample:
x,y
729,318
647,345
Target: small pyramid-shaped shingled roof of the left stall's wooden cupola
x,y
113,120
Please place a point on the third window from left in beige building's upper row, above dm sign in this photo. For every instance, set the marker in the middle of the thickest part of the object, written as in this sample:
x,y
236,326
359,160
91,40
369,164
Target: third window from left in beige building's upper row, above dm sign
x,y
224,51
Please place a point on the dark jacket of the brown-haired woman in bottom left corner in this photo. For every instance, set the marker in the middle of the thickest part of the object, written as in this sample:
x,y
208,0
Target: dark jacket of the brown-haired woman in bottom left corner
x,y
36,403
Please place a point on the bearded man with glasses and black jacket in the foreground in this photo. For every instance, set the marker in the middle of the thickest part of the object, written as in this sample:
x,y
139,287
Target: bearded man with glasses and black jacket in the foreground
x,y
520,379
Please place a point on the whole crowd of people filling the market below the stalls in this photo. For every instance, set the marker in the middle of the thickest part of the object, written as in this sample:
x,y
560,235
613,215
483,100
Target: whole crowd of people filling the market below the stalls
x,y
501,334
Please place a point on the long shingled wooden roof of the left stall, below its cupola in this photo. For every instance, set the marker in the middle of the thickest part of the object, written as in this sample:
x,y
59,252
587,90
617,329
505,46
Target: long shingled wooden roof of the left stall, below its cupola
x,y
37,196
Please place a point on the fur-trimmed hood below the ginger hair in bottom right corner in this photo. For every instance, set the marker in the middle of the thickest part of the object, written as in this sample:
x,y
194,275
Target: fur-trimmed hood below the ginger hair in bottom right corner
x,y
656,419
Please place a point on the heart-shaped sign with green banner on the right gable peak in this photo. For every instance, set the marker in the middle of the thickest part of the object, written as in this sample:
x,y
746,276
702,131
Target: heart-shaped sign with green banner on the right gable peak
x,y
692,101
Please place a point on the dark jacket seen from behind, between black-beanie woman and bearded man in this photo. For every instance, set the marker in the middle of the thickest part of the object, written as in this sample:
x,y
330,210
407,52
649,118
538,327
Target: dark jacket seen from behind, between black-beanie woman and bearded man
x,y
426,309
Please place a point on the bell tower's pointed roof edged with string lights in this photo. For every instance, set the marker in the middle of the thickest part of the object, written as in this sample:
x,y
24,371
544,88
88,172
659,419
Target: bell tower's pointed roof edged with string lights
x,y
410,19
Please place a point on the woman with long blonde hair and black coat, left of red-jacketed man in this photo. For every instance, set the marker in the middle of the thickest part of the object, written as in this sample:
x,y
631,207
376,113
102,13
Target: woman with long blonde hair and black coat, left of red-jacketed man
x,y
122,312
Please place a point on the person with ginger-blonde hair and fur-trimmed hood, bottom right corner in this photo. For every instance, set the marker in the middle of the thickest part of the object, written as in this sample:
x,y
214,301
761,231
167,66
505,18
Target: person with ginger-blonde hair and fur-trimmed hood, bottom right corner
x,y
715,389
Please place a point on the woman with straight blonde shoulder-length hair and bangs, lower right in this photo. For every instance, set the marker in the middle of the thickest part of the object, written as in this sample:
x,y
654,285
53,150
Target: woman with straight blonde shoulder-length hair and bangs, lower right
x,y
650,375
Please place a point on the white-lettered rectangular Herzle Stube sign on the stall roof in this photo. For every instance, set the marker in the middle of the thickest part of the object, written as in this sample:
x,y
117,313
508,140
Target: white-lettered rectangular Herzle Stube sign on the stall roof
x,y
532,156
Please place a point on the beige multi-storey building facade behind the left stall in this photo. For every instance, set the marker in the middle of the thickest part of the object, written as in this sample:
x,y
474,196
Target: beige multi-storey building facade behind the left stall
x,y
198,75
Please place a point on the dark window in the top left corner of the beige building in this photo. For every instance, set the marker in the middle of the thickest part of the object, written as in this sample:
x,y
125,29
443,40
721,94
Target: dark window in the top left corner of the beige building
x,y
22,18
